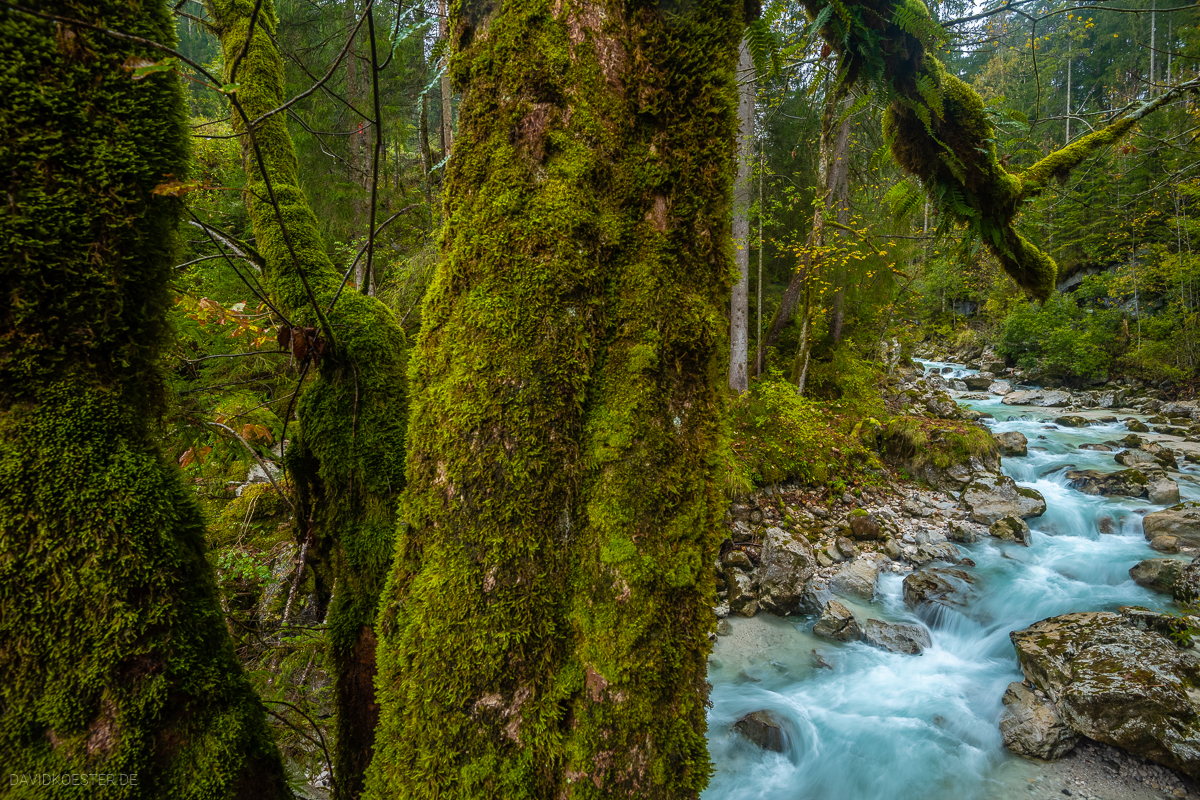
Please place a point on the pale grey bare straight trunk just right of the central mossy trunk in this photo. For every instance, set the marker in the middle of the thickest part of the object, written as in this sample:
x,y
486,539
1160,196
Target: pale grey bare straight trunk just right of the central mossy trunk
x,y
740,304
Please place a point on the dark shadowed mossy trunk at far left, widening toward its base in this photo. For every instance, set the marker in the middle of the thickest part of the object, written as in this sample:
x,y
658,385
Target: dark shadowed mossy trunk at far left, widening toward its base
x,y
116,658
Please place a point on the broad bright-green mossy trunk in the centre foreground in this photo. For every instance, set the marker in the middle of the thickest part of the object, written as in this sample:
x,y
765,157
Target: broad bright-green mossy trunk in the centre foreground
x,y
545,629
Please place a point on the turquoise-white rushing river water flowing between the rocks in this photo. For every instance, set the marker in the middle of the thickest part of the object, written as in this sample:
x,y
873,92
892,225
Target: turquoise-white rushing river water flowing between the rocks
x,y
883,726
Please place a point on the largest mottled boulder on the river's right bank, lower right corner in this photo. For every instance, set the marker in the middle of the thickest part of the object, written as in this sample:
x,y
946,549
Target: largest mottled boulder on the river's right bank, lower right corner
x,y
1118,683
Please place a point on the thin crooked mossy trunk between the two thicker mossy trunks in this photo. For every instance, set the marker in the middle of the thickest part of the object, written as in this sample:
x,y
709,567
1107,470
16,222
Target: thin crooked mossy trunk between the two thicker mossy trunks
x,y
349,465
